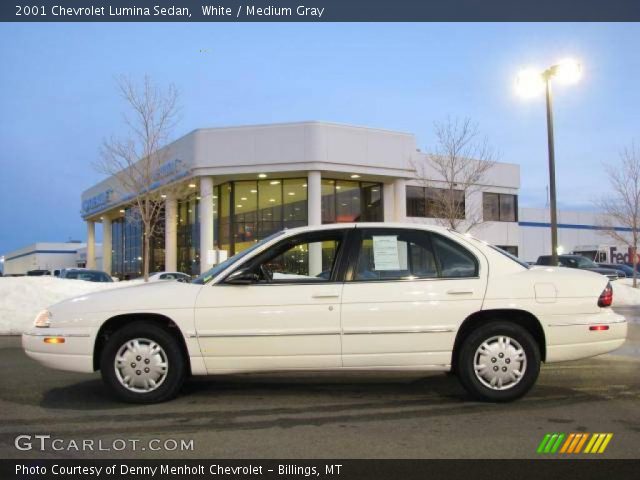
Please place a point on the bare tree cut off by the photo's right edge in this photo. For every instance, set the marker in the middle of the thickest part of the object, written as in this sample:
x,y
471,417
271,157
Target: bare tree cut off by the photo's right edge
x,y
622,207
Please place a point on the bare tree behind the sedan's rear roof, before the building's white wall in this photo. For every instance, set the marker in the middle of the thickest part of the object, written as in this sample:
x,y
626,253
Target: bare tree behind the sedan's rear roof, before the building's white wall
x,y
455,170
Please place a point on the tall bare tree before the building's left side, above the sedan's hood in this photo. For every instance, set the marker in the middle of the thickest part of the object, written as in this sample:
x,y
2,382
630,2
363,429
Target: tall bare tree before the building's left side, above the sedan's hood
x,y
134,161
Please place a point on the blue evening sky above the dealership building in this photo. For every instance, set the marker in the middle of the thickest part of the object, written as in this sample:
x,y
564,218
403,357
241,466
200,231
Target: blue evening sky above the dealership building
x,y
58,98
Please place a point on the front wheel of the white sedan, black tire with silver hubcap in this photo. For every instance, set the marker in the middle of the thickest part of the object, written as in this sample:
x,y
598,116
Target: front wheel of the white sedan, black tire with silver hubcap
x,y
152,366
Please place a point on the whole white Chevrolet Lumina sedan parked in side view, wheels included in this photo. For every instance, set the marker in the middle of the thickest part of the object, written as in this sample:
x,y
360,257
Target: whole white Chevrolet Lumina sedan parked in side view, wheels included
x,y
369,296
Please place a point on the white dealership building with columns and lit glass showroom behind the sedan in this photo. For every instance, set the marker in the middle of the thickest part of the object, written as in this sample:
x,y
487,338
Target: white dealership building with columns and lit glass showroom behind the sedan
x,y
225,188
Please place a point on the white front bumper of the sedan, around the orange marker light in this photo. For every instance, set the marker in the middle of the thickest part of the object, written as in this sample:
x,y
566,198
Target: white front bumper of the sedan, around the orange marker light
x,y
74,355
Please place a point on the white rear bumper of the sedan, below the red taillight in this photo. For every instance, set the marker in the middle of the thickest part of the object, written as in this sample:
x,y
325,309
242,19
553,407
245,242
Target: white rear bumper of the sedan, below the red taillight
x,y
570,338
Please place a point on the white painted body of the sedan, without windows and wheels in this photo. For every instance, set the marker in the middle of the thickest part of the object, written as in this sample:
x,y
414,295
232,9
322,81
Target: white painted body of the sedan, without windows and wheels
x,y
409,324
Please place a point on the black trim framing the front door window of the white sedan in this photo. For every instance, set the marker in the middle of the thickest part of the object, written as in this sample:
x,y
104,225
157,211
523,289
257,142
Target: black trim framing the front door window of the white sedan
x,y
339,265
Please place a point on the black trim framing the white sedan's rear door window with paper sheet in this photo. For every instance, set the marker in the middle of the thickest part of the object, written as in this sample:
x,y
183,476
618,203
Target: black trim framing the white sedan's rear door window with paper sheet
x,y
354,252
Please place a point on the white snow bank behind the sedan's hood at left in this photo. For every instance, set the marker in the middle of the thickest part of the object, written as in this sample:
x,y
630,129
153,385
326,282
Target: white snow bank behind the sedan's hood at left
x,y
21,298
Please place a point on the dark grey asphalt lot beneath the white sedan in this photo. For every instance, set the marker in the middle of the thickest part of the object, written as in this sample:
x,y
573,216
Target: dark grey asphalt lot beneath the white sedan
x,y
318,415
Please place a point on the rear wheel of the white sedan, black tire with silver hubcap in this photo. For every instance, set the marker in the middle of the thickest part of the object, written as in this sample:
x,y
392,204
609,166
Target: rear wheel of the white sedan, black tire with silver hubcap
x,y
507,383
